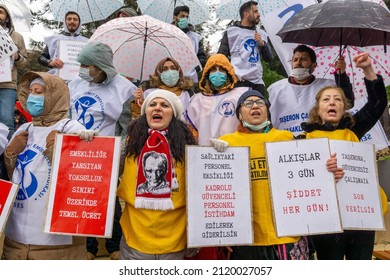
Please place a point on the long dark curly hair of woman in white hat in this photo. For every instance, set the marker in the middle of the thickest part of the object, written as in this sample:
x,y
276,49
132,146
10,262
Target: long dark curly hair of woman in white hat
x,y
178,136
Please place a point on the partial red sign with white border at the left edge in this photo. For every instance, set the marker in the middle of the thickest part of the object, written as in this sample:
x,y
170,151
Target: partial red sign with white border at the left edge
x,y
8,192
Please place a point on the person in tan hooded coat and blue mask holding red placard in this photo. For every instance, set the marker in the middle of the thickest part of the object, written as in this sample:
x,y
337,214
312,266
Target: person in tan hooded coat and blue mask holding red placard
x,y
28,162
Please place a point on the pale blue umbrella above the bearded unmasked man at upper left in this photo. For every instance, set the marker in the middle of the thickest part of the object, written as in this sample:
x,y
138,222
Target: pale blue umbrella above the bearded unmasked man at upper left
x,y
88,10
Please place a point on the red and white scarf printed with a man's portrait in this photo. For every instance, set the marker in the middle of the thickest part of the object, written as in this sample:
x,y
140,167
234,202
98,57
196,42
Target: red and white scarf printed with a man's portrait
x,y
156,174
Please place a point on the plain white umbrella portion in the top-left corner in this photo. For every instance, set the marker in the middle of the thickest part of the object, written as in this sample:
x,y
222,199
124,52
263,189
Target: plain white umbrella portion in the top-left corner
x,y
20,13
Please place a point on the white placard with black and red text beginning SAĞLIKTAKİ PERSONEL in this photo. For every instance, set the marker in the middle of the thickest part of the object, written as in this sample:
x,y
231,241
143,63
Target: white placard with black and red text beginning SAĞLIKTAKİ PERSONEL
x,y
219,205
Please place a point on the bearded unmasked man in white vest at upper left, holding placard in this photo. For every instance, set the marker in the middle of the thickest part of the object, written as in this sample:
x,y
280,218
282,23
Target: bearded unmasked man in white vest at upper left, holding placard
x,y
49,56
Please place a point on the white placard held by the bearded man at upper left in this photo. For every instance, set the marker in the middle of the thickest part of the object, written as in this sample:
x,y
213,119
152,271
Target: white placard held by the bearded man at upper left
x,y
68,51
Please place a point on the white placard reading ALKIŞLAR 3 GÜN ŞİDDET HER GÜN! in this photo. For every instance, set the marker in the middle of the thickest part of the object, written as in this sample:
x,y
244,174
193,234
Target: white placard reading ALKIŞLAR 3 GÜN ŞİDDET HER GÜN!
x,y
303,192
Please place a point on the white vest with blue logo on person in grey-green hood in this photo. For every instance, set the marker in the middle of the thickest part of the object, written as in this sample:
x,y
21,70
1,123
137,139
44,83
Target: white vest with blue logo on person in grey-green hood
x,y
98,106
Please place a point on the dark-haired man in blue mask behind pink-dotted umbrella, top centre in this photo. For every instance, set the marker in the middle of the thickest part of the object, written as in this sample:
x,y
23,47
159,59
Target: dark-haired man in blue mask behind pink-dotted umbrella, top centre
x,y
181,16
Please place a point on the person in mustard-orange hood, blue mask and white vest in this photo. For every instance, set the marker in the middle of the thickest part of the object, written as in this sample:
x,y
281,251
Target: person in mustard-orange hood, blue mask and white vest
x,y
212,112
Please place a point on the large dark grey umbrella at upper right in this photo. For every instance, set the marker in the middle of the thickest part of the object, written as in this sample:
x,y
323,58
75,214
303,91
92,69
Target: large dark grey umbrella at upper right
x,y
339,22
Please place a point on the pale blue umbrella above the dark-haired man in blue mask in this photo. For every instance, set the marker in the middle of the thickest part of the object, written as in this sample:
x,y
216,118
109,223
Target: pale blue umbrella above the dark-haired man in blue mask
x,y
163,9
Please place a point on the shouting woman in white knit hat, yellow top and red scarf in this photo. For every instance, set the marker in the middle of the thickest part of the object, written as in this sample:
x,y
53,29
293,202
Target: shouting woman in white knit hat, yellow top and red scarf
x,y
153,182
